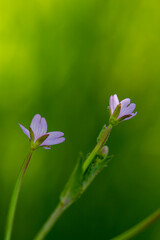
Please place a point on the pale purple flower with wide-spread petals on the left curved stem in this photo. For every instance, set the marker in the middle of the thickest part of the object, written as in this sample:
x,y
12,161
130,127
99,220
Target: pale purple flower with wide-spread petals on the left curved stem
x,y
38,135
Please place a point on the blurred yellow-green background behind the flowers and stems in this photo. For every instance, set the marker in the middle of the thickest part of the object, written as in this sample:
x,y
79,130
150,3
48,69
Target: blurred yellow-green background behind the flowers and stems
x,y
63,59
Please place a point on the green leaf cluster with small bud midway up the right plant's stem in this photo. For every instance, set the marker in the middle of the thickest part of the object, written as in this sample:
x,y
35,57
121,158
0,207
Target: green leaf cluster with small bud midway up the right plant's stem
x,y
80,180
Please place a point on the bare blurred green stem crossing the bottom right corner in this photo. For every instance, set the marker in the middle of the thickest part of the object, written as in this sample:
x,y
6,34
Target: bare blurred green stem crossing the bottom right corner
x,y
132,232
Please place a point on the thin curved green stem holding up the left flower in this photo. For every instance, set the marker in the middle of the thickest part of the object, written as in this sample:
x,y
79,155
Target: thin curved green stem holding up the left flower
x,y
14,198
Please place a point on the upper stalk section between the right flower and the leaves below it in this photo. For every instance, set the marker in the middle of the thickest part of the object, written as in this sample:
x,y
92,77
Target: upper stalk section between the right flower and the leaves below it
x,y
98,147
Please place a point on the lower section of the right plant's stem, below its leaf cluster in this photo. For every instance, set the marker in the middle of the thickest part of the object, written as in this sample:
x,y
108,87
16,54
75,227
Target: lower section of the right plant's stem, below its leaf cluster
x,y
51,221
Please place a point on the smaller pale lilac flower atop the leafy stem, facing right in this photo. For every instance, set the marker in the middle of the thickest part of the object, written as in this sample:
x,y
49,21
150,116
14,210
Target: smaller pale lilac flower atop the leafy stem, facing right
x,y
120,111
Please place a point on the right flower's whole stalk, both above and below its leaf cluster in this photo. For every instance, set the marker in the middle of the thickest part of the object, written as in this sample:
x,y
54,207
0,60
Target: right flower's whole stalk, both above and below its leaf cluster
x,y
61,207
